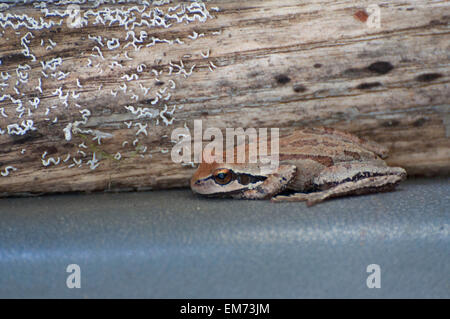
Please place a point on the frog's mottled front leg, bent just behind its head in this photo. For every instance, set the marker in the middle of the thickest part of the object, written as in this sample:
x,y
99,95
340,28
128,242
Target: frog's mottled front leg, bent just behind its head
x,y
272,185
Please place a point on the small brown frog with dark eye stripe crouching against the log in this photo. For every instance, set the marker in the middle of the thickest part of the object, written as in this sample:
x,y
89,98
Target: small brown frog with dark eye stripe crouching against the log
x,y
317,163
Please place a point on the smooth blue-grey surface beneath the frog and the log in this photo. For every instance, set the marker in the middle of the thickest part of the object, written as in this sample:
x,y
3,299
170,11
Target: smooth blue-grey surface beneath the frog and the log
x,y
174,244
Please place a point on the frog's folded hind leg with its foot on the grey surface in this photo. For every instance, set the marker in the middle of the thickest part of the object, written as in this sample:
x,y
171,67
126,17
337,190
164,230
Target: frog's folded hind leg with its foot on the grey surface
x,y
350,179
